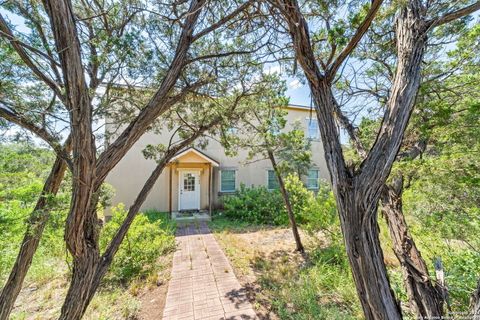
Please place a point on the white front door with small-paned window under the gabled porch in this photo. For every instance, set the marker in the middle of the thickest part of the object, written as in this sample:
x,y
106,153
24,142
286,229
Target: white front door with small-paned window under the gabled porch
x,y
189,188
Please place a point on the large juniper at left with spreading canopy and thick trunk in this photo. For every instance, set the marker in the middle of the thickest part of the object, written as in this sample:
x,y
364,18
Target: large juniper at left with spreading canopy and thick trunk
x,y
77,52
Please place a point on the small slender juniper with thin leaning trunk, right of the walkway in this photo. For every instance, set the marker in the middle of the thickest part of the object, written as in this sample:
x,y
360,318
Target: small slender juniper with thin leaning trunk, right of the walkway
x,y
263,132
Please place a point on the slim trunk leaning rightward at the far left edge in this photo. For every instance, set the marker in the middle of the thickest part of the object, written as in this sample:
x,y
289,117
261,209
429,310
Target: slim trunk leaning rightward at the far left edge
x,y
35,226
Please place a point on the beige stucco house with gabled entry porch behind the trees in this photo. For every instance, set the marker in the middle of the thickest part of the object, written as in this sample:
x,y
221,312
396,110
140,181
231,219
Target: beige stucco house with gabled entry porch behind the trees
x,y
198,179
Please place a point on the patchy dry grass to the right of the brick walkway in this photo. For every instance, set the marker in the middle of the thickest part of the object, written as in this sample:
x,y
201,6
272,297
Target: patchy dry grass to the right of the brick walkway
x,y
265,261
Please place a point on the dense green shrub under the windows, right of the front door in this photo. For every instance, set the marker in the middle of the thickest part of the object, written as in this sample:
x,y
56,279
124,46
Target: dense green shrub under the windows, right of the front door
x,y
256,205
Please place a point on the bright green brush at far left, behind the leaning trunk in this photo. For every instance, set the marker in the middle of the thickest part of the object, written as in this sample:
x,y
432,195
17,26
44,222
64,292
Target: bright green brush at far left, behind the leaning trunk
x,y
23,169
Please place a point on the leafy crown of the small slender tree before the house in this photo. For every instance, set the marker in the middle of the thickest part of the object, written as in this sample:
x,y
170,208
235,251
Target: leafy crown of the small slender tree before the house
x,y
263,128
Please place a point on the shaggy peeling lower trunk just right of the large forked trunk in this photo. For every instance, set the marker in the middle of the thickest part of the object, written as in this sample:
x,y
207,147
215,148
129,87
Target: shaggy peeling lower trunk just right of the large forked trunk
x,y
426,299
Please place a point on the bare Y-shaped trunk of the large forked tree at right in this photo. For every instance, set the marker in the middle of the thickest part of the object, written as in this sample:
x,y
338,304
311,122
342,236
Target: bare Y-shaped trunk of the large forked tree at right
x,y
357,193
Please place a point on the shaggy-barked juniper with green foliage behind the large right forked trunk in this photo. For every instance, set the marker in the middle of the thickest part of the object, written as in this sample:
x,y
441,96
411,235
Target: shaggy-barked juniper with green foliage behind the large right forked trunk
x,y
445,78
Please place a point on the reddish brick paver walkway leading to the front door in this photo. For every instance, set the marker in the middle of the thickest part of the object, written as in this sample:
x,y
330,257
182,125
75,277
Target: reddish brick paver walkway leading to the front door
x,y
202,284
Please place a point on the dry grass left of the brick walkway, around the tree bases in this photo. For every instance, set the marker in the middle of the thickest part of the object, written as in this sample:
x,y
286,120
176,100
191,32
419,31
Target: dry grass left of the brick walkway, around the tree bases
x,y
142,299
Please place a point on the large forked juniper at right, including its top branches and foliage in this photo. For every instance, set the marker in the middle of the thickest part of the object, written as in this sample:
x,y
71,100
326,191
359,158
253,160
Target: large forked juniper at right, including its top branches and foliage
x,y
321,55
